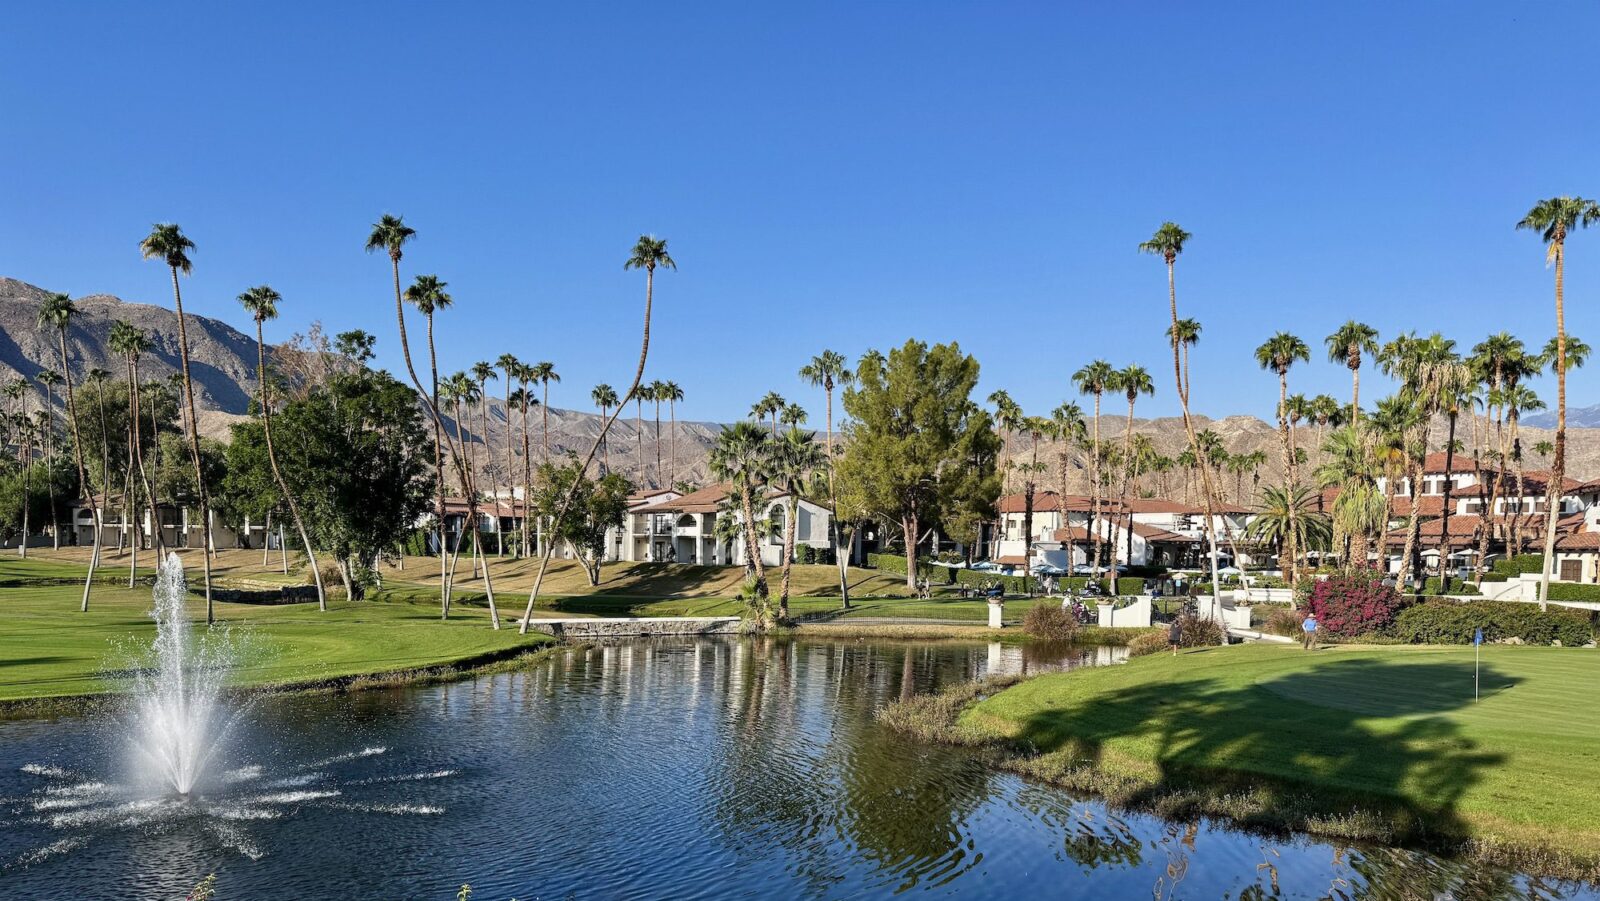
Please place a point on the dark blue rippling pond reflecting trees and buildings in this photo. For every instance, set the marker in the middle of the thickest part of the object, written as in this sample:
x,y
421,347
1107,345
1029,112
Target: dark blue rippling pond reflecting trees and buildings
x,y
663,769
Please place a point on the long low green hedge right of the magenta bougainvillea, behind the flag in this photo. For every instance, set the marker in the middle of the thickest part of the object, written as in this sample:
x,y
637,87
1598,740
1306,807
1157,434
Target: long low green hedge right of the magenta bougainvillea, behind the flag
x,y
1454,623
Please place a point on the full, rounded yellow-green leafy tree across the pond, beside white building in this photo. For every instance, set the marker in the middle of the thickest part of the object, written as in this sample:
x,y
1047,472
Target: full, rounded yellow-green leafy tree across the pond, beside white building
x,y
921,447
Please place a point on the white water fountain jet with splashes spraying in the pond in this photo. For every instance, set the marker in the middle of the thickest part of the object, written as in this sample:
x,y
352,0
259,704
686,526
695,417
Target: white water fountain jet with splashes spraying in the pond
x,y
183,769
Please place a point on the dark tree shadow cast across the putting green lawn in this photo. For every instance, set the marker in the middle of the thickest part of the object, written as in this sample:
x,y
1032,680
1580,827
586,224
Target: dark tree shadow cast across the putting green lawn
x,y
1350,748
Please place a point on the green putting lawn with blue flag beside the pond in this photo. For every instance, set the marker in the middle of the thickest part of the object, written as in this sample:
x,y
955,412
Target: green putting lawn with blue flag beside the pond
x,y
1519,769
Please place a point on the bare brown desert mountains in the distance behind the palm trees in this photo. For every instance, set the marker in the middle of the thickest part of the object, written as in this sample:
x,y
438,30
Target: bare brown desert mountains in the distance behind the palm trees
x,y
223,362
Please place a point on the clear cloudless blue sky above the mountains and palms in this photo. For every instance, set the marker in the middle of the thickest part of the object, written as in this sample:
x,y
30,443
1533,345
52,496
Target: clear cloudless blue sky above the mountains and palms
x,y
836,175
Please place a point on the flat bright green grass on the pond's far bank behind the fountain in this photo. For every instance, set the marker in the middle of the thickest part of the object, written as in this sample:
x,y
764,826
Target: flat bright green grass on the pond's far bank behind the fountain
x,y
50,651
